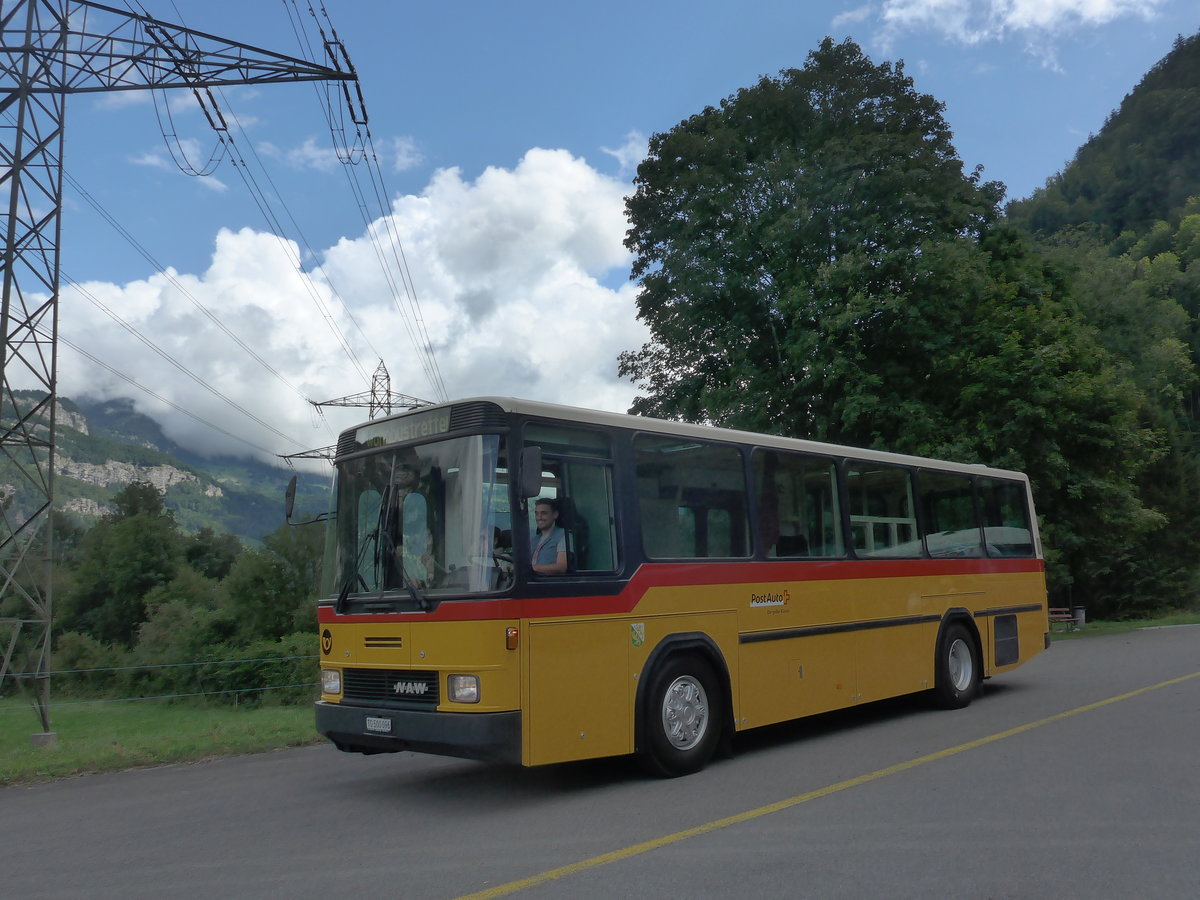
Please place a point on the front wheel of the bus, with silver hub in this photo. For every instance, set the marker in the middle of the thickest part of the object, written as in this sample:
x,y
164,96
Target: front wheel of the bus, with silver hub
x,y
682,718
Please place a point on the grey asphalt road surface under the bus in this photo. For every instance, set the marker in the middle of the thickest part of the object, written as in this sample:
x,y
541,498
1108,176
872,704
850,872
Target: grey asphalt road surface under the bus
x,y
1076,777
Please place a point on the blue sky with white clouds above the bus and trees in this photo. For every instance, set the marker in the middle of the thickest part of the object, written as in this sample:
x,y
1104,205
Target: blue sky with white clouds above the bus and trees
x,y
507,139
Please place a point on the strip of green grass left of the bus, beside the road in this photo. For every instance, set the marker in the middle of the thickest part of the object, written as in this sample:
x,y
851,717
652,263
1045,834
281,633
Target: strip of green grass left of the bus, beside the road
x,y
109,737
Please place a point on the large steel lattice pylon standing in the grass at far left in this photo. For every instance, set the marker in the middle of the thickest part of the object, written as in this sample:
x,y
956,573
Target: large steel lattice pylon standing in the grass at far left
x,y
50,50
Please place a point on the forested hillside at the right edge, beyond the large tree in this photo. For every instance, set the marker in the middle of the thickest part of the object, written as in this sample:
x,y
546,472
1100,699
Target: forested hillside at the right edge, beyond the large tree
x,y
1121,227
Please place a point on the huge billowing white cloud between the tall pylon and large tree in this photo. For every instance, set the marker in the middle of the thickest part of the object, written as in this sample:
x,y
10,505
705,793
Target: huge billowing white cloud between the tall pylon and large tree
x,y
508,272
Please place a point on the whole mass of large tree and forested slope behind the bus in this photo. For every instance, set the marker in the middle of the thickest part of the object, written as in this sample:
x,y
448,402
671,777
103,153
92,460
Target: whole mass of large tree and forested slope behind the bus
x,y
814,261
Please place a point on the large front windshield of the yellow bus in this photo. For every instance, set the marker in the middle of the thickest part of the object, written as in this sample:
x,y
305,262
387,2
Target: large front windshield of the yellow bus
x,y
425,521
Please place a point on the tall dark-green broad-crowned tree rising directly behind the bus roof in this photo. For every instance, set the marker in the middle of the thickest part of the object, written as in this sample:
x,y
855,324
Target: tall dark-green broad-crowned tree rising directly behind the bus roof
x,y
778,236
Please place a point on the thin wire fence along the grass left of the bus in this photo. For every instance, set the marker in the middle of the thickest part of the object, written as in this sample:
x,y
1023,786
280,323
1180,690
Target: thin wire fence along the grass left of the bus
x,y
227,681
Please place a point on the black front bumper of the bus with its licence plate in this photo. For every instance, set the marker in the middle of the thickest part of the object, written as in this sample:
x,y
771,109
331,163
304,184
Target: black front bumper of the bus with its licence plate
x,y
494,737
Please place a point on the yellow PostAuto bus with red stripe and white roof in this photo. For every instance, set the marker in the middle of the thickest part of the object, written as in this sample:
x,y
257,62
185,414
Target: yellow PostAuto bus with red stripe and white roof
x,y
695,583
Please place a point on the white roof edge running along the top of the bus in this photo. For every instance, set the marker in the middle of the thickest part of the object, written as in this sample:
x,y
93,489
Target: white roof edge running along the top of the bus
x,y
709,433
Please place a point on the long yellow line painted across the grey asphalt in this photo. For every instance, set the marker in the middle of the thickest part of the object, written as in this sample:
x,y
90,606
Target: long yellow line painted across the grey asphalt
x,y
781,806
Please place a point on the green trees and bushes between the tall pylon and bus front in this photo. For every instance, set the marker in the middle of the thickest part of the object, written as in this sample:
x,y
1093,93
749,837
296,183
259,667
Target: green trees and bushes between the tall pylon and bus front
x,y
140,602
